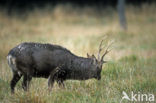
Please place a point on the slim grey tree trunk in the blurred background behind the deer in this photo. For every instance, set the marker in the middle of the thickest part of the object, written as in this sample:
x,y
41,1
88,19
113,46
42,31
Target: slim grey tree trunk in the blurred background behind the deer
x,y
121,12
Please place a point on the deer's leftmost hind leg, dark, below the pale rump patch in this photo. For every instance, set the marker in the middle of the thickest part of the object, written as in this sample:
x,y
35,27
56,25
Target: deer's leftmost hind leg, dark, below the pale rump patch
x,y
15,79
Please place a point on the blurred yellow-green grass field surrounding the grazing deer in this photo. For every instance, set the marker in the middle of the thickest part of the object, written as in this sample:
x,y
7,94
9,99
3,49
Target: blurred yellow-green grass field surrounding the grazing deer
x,y
132,65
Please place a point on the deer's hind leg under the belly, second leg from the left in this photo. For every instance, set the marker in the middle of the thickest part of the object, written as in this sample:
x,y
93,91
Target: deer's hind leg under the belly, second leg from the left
x,y
26,82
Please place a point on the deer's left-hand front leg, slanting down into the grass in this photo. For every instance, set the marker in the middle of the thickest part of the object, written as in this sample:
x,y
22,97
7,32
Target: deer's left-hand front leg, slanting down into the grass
x,y
52,78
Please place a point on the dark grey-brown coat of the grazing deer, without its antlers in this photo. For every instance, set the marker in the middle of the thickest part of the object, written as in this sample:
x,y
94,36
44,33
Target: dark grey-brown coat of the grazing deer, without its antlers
x,y
41,60
